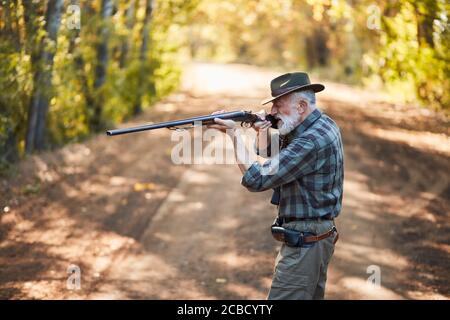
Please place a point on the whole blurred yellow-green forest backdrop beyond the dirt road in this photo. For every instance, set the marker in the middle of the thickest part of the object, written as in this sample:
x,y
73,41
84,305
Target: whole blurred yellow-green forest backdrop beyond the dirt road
x,y
71,68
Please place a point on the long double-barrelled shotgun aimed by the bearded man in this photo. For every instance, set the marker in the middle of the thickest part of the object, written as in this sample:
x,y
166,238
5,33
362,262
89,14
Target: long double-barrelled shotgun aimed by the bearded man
x,y
246,118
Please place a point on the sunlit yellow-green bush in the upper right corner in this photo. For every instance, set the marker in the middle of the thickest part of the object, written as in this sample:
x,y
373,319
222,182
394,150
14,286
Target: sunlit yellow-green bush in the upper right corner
x,y
411,58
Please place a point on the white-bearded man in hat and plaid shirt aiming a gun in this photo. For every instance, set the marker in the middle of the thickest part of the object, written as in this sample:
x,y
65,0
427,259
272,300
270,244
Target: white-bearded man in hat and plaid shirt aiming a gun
x,y
307,183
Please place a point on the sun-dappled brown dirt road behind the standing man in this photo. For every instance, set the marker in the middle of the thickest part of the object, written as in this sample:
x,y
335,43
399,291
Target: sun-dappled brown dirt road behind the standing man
x,y
140,227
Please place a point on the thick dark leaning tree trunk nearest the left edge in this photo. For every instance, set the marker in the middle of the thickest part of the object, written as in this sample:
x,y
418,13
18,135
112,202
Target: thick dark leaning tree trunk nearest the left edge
x,y
38,108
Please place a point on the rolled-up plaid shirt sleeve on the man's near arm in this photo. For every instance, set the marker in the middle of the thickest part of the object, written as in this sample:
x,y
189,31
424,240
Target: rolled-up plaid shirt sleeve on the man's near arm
x,y
296,160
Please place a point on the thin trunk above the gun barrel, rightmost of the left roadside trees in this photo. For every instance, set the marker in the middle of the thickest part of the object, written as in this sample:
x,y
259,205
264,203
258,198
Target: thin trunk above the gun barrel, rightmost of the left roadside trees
x,y
143,54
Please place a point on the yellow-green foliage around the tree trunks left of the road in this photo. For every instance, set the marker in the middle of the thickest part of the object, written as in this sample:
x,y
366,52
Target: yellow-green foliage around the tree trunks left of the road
x,y
130,80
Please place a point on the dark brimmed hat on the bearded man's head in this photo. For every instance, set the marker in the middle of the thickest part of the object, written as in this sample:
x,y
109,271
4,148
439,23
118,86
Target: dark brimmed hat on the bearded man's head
x,y
290,82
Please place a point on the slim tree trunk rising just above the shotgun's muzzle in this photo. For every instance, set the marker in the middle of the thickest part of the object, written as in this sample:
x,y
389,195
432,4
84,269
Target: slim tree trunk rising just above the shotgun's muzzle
x,y
95,120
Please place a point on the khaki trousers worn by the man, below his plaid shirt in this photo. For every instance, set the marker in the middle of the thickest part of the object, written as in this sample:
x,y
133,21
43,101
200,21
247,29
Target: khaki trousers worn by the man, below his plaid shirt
x,y
301,273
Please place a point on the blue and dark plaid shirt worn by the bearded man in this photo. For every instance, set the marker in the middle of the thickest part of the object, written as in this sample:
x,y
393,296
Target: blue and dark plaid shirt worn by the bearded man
x,y
310,171
